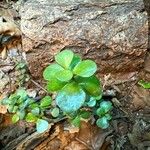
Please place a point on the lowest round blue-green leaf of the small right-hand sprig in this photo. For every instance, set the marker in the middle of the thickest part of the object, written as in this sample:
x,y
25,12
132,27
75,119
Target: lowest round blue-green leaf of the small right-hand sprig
x,y
102,123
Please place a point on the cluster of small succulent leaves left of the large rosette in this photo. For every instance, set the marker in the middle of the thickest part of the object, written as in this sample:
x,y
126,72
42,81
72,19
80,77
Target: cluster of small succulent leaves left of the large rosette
x,y
26,108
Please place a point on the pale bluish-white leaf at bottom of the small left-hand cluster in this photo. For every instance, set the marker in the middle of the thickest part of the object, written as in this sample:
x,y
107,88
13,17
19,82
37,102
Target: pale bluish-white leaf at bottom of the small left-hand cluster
x,y
41,125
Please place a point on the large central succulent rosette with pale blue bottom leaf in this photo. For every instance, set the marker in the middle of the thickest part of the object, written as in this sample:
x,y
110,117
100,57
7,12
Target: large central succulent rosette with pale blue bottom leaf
x,y
73,79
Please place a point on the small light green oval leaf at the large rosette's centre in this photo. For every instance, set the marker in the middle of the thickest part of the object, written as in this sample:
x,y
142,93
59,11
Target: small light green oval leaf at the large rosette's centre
x,y
64,75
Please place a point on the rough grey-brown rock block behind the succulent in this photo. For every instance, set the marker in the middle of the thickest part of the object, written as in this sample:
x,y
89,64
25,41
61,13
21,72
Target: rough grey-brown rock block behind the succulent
x,y
114,33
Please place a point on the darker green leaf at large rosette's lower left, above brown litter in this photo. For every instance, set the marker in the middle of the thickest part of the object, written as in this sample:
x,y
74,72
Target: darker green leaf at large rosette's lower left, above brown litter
x,y
55,85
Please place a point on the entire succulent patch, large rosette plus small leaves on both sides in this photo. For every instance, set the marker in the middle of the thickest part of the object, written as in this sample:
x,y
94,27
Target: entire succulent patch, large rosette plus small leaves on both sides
x,y
78,95
